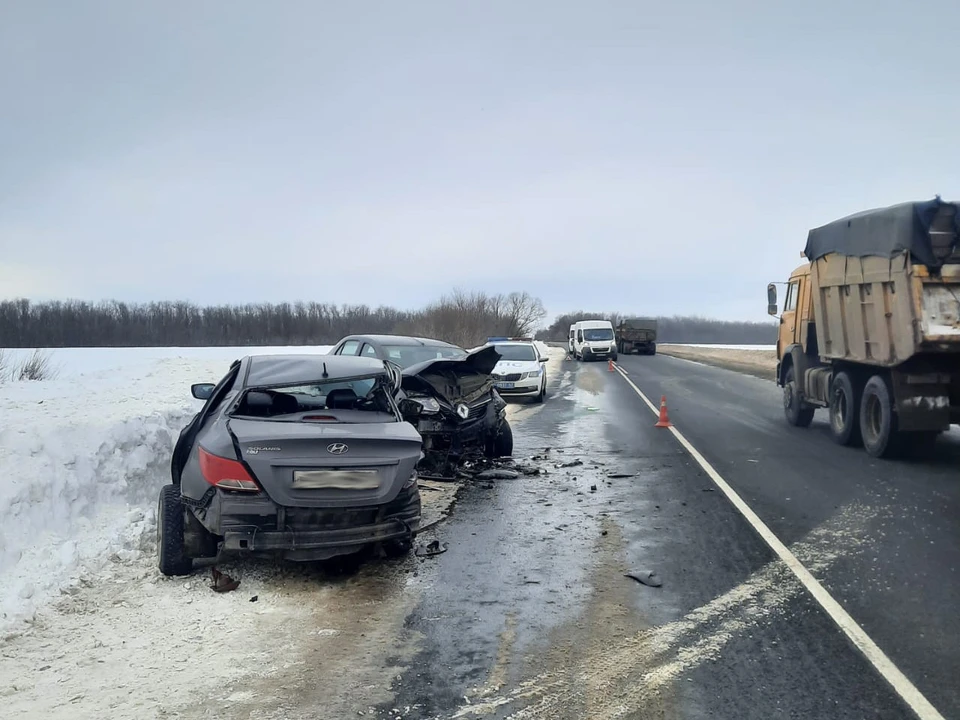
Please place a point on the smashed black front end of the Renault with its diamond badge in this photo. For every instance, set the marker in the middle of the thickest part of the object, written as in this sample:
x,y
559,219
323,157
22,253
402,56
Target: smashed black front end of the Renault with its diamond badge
x,y
455,407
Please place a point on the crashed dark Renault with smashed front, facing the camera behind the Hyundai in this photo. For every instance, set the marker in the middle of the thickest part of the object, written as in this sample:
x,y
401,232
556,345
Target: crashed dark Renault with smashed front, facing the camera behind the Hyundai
x,y
450,396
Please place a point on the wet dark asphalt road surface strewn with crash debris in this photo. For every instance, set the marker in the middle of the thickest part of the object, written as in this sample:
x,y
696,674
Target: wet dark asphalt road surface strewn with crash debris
x,y
529,615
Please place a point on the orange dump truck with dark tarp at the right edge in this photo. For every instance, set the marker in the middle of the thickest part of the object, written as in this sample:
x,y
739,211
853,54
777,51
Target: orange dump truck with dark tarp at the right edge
x,y
870,328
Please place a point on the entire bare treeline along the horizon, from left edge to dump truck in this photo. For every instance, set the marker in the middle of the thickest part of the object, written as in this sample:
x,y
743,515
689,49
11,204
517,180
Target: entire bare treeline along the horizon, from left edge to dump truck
x,y
466,319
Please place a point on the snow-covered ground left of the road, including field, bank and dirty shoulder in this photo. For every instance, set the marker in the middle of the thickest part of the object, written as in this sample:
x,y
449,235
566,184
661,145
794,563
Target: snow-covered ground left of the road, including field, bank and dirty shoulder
x,y
89,628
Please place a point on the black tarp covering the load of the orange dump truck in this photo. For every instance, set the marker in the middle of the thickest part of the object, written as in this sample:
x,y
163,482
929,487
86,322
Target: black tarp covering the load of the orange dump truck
x,y
885,232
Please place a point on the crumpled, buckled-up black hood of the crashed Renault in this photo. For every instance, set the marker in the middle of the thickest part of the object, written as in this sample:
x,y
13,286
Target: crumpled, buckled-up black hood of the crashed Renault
x,y
462,379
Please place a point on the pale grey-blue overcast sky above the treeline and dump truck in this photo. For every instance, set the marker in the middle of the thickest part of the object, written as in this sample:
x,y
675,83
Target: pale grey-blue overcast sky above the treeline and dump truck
x,y
663,158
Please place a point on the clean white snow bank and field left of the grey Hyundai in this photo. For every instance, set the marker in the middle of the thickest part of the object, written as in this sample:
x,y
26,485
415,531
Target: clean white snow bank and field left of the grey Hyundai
x,y
82,459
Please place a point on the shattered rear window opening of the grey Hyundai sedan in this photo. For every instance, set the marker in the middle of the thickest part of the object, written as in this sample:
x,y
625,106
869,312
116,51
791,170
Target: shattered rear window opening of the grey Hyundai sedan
x,y
361,393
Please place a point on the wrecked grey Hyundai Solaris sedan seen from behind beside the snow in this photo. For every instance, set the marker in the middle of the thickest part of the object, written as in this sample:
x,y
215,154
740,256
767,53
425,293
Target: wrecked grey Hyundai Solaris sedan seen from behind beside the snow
x,y
304,457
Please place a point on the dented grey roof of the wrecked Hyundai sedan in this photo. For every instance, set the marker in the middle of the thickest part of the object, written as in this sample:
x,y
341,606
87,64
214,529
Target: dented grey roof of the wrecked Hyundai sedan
x,y
289,369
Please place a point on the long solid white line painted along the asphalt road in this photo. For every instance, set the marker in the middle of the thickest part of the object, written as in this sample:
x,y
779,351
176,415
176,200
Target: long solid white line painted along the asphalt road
x,y
856,634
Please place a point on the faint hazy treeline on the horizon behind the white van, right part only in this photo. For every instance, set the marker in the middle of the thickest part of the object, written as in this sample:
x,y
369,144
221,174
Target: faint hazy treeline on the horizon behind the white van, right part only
x,y
678,329
